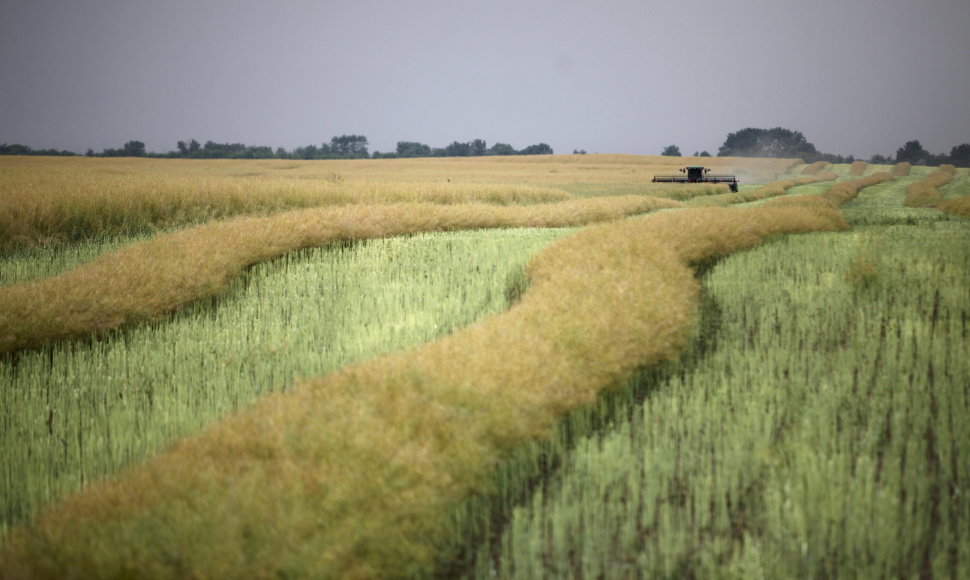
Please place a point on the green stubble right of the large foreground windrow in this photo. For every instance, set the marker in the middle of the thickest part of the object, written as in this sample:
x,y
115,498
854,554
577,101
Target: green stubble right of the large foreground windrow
x,y
819,427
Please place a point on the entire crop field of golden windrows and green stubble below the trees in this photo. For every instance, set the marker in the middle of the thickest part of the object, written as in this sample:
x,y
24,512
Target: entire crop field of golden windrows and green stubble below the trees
x,y
490,367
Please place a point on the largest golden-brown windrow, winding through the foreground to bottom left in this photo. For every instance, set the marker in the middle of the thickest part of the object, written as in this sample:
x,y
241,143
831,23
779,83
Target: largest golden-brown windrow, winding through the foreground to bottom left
x,y
355,474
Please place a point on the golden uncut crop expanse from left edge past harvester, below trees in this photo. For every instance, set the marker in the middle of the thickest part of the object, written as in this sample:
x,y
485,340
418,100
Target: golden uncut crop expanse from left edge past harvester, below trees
x,y
57,200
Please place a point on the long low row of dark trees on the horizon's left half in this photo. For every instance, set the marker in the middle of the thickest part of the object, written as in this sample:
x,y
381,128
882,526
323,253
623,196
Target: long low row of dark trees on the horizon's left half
x,y
339,147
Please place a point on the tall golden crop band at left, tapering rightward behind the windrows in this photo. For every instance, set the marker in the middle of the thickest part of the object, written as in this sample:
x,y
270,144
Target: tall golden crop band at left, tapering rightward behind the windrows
x,y
49,205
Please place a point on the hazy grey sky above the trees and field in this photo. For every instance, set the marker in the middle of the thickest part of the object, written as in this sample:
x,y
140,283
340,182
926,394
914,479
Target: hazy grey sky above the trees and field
x,y
609,76
